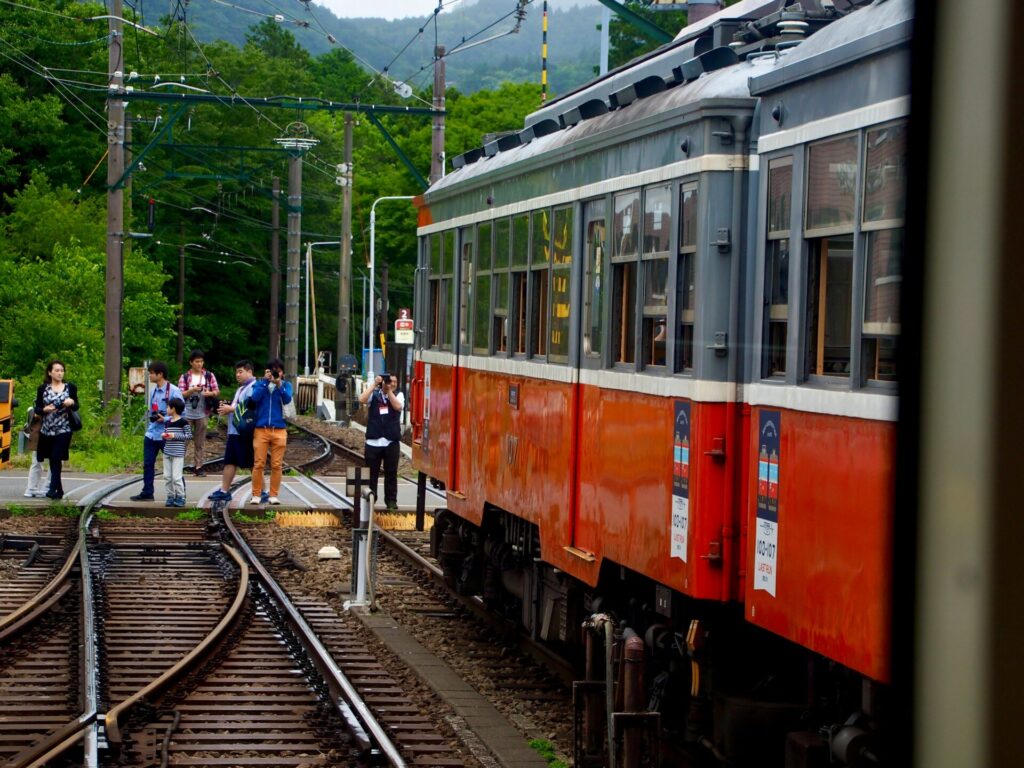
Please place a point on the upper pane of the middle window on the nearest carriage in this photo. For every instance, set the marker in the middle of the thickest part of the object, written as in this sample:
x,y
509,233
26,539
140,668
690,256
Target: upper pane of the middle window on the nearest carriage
x,y
832,182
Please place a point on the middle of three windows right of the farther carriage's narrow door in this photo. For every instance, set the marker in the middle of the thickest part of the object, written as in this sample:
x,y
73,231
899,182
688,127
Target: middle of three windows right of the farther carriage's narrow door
x,y
654,317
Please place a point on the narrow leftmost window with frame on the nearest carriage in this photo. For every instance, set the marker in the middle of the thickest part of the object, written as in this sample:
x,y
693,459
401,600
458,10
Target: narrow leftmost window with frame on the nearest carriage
x,y
777,320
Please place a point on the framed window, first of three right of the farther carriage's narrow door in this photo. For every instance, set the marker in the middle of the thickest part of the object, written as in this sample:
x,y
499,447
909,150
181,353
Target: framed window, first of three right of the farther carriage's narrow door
x,y
625,274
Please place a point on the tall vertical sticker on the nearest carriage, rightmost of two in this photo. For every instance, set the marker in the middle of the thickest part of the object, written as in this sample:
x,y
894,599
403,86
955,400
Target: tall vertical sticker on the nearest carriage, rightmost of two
x,y
766,543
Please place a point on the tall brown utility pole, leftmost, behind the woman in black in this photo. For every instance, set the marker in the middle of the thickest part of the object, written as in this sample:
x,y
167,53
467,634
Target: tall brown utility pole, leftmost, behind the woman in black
x,y
115,222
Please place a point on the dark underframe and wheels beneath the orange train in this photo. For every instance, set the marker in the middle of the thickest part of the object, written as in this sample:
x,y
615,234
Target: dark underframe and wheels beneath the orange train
x,y
694,684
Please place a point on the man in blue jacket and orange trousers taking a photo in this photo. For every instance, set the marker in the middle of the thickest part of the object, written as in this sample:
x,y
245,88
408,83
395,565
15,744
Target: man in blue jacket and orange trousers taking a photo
x,y
270,396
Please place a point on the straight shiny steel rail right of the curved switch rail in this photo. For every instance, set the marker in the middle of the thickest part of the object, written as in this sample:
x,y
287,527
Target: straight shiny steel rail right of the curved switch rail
x,y
354,711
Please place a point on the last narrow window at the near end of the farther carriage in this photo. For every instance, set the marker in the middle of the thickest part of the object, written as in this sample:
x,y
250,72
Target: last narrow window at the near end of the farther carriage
x,y
685,326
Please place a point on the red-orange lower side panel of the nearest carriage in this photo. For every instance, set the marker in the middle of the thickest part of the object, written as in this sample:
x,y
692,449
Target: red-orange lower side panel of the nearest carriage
x,y
835,540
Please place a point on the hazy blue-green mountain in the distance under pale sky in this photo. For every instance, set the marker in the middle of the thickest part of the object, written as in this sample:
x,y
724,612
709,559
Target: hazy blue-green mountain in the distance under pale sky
x,y
574,41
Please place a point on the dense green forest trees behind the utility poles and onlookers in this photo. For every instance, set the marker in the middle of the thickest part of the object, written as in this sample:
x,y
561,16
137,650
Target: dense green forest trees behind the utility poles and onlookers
x,y
209,177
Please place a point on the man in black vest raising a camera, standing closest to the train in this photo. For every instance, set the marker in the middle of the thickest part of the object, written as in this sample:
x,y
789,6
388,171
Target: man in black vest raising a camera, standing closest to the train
x,y
385,406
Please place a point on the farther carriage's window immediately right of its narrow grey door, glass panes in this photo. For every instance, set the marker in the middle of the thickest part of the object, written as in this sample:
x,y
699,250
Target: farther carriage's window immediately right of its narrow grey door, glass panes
x,y
624,277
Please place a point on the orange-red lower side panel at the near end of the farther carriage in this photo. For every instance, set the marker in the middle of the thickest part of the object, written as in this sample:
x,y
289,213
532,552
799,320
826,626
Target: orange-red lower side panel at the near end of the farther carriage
x,y
626,489
